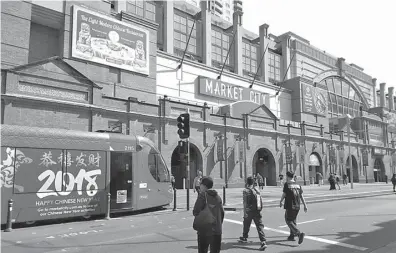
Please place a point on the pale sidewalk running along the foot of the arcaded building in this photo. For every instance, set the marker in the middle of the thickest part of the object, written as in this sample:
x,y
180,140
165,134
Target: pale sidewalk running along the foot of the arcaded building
x,y
271,194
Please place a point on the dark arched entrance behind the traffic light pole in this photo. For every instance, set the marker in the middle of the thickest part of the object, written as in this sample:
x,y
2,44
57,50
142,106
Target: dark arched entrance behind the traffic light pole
x,y
178,166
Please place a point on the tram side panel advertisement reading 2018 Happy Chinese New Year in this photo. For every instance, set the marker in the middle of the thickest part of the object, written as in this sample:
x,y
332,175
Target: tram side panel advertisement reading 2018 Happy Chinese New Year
x,y
64,183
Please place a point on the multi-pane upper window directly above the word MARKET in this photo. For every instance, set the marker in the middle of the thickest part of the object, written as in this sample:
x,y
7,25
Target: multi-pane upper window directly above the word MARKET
x,y
220,46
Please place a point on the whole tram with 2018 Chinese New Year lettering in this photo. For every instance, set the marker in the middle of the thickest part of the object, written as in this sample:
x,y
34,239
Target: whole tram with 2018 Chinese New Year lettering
x,y
58,173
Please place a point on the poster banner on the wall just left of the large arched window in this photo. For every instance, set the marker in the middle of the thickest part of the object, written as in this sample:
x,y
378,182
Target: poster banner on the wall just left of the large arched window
x,y
314,99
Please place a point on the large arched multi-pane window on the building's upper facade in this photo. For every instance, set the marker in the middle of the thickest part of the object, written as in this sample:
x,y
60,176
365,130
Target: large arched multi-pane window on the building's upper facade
x,y
343,98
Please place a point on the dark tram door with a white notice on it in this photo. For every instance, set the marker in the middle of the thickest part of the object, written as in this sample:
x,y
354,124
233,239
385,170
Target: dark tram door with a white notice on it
x,y
121,180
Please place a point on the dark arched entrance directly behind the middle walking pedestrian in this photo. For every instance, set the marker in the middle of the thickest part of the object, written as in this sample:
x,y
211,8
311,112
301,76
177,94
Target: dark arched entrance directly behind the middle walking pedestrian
x,y
264,164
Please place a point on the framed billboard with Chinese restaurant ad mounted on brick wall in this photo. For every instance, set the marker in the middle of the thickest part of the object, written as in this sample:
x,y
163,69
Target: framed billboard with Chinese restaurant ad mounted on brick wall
x,y
105,40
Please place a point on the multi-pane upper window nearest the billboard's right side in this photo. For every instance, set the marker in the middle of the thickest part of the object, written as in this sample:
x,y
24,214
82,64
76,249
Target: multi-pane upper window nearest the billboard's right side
x,y
182,26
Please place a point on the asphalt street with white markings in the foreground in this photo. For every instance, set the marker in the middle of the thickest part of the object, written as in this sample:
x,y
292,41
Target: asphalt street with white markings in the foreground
x,y
345,226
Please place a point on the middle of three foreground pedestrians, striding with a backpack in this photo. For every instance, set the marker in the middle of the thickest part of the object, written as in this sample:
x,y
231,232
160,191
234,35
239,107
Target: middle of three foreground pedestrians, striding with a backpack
x,y
252,212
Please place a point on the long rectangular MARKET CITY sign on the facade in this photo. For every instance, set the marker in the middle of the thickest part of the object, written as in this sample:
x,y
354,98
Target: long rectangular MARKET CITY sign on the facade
x,y
222,90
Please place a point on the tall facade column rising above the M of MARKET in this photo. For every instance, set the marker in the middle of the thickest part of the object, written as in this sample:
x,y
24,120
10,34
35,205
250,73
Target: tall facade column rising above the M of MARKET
x,y
206,33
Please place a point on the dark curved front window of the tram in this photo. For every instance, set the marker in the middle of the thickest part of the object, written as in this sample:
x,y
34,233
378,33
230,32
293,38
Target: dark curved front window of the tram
x,y
157,166
